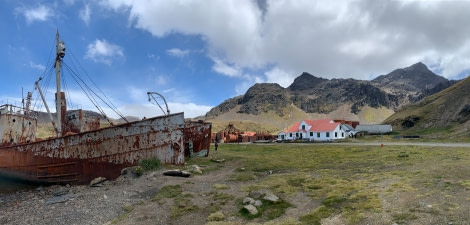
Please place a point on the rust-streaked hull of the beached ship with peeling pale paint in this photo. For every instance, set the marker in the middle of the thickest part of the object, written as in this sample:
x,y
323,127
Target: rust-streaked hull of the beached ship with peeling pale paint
x,y
79,158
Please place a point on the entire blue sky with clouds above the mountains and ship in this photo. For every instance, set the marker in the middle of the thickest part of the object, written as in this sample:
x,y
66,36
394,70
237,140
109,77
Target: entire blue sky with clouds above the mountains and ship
x,y
199,53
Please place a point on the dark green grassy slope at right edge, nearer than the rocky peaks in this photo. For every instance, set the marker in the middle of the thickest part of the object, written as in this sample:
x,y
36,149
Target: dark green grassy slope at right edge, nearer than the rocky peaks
x,y
448,110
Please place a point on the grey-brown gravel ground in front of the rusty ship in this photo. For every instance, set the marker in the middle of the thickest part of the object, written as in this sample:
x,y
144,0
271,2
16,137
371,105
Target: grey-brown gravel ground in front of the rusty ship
x,y
107,203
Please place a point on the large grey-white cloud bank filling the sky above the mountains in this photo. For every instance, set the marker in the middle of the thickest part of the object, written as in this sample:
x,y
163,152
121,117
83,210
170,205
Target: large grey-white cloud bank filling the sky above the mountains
x,y
331,39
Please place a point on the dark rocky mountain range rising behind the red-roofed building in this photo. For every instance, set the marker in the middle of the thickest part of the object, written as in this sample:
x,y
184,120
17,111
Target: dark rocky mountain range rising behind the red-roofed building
x,y
311,97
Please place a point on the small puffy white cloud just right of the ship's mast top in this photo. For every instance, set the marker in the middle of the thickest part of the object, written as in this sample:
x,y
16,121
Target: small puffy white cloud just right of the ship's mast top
x,y
104,52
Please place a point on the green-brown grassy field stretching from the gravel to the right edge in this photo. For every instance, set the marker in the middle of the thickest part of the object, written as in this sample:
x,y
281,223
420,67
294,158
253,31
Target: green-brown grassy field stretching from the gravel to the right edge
x,y
341,184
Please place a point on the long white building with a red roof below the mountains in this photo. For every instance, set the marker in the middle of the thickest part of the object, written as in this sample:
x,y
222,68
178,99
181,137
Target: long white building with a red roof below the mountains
x,y
314,130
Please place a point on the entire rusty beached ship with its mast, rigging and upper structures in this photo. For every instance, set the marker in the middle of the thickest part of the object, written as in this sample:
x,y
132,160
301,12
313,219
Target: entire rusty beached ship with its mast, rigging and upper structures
x,y
81,150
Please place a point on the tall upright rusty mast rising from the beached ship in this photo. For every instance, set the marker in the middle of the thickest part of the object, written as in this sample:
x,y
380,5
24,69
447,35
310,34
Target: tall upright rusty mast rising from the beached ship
x,y
60,53
